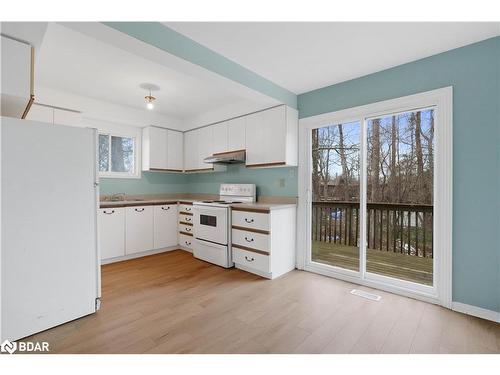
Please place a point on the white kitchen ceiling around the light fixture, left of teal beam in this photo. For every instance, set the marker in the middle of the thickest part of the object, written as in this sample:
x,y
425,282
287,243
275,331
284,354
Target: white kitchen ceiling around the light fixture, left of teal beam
x,y
73,62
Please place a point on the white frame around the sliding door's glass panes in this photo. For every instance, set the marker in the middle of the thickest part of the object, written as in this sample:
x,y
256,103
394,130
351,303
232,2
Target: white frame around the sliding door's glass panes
x,y
442,99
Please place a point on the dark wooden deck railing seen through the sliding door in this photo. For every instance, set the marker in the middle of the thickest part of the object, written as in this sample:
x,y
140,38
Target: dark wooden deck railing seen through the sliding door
x,y
401,228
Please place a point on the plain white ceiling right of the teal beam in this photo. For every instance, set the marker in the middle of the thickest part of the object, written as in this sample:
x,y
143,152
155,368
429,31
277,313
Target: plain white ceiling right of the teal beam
x,y
305,56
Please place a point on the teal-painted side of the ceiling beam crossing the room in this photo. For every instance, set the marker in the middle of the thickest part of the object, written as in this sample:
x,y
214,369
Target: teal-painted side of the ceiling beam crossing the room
x,y
171,41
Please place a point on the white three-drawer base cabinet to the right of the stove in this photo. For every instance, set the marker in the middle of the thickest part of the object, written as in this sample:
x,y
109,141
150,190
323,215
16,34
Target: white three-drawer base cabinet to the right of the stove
x,y
263,240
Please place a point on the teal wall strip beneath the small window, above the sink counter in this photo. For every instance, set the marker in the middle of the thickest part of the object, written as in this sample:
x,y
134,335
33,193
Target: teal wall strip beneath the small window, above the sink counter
x,y
149,183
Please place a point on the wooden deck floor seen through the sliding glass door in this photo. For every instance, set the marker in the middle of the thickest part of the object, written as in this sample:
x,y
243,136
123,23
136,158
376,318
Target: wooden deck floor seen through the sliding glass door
x,y
387,263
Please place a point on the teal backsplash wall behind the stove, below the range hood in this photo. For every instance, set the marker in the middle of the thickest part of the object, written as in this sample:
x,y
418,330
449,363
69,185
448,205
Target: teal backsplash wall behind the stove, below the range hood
x,y
269,181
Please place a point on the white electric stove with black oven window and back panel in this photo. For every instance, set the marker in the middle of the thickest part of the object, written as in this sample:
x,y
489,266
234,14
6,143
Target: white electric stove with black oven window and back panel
x,y
212,223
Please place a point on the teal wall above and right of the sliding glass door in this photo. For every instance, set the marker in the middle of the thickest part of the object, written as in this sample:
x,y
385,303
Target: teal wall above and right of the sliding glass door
x,y
474,73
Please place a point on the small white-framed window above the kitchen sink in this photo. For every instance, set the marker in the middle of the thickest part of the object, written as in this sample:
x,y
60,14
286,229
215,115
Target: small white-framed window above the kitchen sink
x,y
117,156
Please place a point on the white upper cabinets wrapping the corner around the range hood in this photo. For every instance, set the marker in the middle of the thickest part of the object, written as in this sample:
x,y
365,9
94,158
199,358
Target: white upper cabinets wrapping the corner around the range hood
x,y
269,137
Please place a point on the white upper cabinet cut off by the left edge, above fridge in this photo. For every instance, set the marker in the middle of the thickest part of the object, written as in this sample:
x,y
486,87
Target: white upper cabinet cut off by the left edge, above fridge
x,y
17,77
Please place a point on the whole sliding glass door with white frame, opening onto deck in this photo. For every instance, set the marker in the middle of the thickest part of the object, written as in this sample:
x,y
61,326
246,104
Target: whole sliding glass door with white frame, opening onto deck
x,y
368,194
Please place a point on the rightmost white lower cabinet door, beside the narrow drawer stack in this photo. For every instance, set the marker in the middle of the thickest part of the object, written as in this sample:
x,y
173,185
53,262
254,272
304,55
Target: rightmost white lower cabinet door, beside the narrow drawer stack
x,y
165,226
